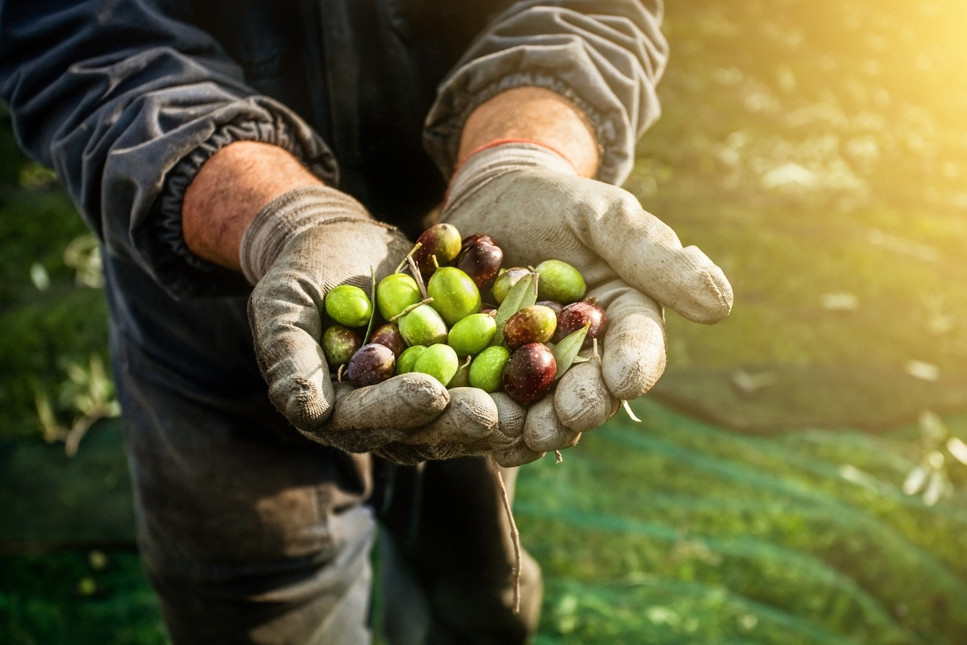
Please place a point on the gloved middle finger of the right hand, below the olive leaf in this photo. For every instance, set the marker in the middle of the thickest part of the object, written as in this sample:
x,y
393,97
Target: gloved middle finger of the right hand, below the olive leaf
x,y
582,400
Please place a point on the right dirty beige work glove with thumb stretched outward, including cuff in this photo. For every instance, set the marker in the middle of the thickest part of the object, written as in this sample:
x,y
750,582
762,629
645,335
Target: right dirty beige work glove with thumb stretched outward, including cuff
x,y
536,207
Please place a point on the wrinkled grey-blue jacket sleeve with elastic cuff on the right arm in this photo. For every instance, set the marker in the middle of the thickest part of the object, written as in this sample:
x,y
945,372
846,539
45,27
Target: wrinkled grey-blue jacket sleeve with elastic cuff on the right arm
x,y
605,56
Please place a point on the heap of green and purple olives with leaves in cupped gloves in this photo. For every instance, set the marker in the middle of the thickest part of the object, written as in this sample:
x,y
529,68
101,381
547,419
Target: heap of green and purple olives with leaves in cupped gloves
x,y
463,318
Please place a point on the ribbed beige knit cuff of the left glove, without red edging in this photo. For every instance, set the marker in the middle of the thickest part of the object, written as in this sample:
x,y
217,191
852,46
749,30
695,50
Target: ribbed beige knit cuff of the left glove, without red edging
x,y
288,215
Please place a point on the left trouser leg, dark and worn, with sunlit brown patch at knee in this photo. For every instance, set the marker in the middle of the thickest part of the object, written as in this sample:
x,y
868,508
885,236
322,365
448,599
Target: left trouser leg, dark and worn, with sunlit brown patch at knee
x,y
248,531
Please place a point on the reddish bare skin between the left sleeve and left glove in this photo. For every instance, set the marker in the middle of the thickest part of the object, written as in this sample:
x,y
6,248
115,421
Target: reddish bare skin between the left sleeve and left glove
x,y
229,189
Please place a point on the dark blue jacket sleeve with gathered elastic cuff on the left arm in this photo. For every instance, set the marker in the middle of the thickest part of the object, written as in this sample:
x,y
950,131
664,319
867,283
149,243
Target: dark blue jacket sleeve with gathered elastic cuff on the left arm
x,y
125,100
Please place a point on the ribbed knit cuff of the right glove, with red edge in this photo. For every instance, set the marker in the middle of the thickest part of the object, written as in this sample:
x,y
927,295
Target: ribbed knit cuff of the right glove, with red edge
x,y
494,159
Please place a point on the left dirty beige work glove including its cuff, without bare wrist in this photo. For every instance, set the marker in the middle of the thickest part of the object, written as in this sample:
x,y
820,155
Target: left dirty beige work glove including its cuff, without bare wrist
x,y
297,248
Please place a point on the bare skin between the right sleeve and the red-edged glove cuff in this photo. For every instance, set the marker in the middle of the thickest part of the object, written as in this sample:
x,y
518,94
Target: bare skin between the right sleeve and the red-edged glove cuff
x,y
533,114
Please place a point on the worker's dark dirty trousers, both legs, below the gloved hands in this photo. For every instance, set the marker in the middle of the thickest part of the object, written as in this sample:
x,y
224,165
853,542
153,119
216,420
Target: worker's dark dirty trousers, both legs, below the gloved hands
x,y
250,533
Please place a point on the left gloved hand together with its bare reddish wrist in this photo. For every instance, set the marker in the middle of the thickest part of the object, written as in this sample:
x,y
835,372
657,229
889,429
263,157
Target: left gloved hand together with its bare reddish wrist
x,y
254,208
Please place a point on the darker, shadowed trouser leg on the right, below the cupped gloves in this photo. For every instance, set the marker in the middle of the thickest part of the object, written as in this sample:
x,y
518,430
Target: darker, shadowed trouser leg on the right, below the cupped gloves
x,y
447,559
